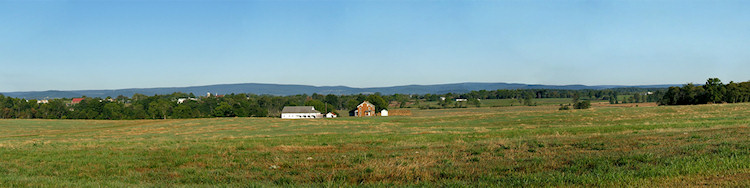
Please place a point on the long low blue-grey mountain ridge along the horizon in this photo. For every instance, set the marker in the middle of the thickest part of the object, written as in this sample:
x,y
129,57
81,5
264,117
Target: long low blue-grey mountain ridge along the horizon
x,y
285,89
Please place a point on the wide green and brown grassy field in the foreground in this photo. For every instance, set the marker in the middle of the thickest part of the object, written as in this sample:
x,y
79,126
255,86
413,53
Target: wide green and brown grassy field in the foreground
x,y
509,146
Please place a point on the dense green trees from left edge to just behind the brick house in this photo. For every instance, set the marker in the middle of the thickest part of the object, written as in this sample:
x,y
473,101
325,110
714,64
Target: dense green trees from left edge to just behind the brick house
x,y
177,105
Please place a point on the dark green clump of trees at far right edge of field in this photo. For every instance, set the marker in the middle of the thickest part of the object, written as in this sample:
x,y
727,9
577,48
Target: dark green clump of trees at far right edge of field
x,y
714,91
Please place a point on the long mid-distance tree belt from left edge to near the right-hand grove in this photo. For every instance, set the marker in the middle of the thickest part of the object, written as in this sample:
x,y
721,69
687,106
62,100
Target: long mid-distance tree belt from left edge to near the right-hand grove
x,y
182,105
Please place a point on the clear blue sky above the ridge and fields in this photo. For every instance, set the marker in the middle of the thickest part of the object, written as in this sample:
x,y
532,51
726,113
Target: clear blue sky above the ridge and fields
x,y
75,45
